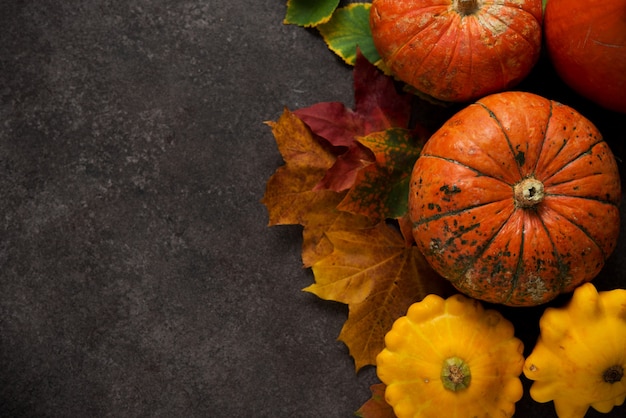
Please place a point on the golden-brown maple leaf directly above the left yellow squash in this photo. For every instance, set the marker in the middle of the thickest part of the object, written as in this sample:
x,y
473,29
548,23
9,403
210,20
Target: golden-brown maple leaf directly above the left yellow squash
x,y
379,277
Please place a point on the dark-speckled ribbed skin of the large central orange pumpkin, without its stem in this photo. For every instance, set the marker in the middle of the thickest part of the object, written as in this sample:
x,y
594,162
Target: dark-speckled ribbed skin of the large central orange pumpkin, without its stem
x,y
469,224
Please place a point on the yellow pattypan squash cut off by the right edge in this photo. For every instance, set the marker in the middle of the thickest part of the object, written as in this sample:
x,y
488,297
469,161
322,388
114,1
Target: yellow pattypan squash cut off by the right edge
x,y
580,356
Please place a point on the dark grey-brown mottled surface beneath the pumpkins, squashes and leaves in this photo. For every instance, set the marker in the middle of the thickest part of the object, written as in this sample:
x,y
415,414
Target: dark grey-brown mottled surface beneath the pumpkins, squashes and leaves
x,y
138,277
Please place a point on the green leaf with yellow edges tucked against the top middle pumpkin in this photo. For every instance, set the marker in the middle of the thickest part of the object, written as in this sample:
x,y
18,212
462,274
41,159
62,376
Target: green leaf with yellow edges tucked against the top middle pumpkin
x,y
349,29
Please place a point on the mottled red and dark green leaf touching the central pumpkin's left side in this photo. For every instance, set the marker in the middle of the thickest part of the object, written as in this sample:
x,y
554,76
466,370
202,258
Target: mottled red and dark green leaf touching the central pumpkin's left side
x,y
381,190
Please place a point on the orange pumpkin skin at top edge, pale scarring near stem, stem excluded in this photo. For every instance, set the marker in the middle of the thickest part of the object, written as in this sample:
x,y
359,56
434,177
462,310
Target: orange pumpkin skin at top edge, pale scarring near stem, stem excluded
x,y
455,57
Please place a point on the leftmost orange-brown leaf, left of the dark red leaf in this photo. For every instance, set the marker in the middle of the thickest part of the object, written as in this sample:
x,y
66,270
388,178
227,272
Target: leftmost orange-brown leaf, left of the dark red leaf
x,y
289,195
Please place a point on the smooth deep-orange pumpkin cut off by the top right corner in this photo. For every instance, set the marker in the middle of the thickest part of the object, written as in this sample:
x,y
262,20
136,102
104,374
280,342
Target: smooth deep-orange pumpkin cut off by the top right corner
x,y
586,41
